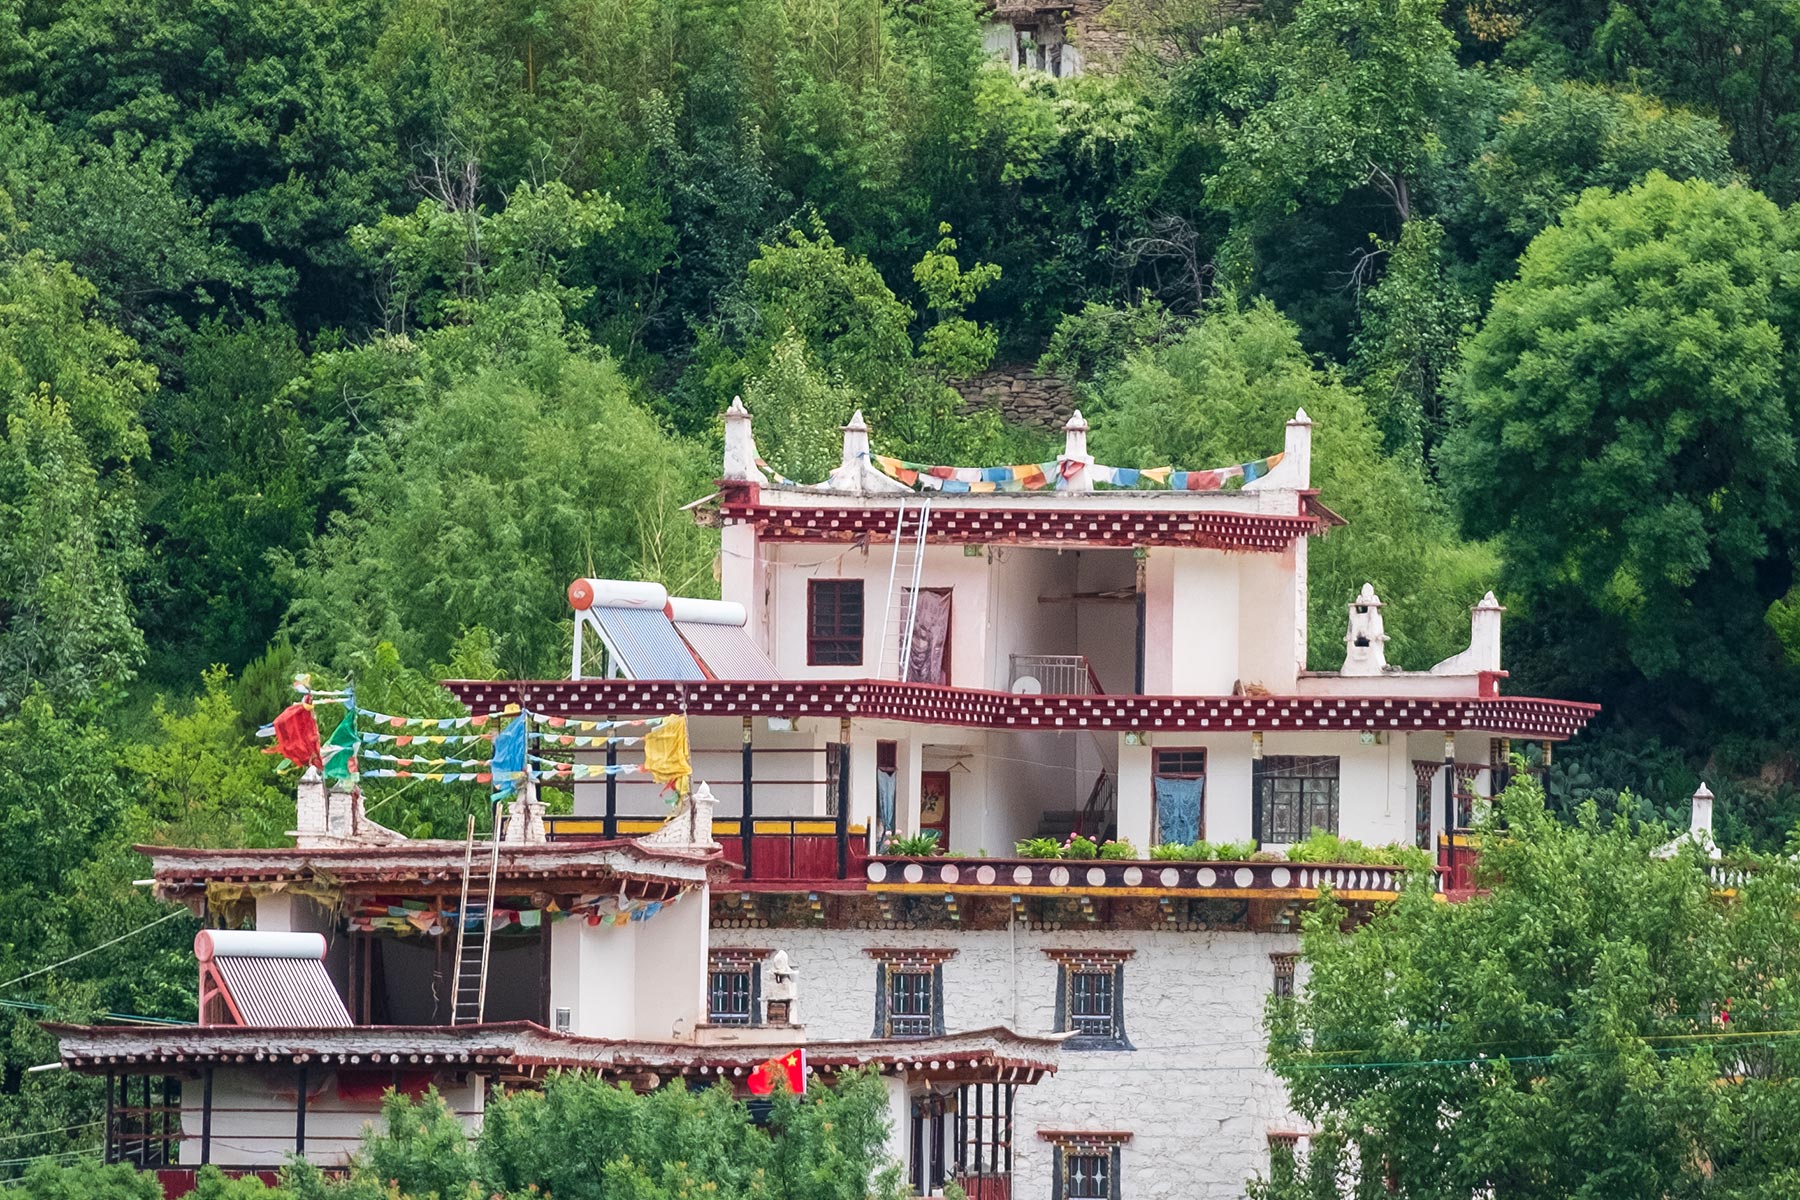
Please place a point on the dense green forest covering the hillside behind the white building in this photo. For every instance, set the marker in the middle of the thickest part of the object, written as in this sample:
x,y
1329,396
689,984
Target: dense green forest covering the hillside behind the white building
x,y
339,336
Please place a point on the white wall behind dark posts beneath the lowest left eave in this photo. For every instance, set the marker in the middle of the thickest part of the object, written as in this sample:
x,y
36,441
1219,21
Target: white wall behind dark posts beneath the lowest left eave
x,y
255,1115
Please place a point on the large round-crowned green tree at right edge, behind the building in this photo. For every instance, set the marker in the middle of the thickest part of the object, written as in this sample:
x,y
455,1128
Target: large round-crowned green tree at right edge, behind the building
x,y
1626,429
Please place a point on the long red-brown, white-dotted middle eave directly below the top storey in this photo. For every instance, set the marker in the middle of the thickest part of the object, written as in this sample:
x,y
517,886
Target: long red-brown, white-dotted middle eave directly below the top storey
x,y
928,704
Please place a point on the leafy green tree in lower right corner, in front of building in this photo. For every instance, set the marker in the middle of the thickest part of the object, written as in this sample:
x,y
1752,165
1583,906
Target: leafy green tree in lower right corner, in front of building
x,y
1594,1023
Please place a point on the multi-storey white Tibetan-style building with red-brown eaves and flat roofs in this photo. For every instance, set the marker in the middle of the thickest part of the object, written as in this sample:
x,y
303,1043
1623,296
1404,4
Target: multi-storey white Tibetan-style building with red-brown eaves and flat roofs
x,y
1002,658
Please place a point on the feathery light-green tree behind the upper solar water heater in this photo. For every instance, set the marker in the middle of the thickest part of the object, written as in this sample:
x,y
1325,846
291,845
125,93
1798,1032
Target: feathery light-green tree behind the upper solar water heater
x,y
481,505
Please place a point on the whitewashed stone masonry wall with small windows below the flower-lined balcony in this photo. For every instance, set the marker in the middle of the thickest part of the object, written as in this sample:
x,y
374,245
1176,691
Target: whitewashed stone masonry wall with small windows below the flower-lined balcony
x,y
1194,1091
